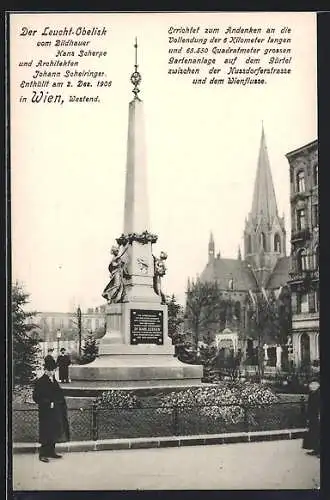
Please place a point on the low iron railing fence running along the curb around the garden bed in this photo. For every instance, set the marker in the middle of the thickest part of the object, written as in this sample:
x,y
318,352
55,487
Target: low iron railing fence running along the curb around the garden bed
x,y
96,423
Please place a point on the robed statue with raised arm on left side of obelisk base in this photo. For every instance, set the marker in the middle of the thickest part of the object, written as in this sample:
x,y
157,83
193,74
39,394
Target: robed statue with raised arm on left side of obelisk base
x,y
115,289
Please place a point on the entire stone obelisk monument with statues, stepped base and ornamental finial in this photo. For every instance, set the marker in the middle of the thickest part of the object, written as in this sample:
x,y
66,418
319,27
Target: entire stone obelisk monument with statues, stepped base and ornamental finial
x,y
136,350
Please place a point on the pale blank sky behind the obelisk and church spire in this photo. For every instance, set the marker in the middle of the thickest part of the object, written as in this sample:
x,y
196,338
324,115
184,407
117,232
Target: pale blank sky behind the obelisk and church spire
x,y
68,162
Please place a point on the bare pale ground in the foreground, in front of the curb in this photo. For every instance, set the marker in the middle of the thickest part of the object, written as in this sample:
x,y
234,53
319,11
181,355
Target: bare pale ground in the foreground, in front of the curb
x,y
264,465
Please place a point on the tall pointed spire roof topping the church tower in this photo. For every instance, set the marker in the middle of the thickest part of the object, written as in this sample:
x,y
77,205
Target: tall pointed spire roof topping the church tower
x,y
264,199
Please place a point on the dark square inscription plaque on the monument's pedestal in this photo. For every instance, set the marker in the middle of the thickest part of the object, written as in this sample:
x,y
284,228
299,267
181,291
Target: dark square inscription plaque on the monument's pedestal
x,y
147,327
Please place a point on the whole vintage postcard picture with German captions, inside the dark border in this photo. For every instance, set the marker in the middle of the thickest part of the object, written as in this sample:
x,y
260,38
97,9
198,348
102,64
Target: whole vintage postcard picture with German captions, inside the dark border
x,y
164,223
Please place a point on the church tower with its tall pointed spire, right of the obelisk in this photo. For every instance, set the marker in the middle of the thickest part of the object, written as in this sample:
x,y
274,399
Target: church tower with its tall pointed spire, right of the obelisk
x,y
264,234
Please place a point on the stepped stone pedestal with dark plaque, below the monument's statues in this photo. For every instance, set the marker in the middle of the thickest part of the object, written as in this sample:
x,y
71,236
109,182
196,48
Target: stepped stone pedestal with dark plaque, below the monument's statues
x,y
126,362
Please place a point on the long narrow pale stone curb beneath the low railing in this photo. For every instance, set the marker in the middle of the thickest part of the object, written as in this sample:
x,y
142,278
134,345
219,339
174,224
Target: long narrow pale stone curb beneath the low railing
x,y
163,442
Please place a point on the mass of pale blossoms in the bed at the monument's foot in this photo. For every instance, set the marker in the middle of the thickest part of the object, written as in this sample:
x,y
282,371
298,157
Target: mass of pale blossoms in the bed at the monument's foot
x,y
210,407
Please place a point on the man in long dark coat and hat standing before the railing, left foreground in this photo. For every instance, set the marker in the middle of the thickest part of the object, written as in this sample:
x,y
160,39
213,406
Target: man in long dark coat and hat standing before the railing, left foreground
x,y
53,421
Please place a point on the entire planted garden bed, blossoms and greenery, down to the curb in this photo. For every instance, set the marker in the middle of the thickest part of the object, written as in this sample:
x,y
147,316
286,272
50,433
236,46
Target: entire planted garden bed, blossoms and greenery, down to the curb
x,y
226,407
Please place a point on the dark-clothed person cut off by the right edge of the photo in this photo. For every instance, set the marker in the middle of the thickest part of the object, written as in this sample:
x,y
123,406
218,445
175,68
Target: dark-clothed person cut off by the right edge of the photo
x,y
311,440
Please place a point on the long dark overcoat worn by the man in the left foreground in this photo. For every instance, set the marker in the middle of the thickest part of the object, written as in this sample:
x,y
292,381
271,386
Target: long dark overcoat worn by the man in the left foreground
x,y
53,422
